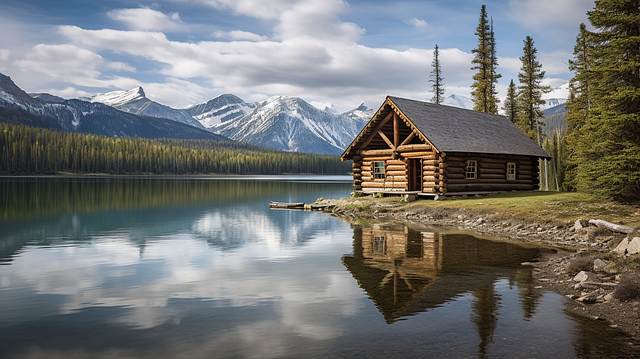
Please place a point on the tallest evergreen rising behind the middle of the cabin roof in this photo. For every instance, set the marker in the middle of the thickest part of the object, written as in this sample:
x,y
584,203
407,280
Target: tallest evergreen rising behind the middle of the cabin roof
x,y
485,62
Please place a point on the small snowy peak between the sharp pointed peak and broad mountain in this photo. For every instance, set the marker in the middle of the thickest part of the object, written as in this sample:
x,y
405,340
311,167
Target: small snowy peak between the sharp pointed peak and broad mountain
x,y
221,109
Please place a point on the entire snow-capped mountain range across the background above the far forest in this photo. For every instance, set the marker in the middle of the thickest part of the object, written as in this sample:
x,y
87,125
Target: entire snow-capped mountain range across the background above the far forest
x,y
281,122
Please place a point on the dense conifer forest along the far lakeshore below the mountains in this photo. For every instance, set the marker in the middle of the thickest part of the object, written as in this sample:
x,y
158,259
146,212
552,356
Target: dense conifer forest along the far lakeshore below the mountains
x,y
36,150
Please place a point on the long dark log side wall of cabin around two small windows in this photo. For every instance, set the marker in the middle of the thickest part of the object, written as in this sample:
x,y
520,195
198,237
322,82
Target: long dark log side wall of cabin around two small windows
x,y
492,173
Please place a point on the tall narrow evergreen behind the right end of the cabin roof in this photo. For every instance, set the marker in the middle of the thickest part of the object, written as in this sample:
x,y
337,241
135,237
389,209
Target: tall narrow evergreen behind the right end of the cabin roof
x,y
530,91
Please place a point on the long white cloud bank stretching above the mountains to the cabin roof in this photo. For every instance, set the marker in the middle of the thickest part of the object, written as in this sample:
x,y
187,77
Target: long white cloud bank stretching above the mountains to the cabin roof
x,y
322,70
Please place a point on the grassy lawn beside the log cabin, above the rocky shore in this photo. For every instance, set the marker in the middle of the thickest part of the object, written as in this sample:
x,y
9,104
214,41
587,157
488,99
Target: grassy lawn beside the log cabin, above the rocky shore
x,y
559,208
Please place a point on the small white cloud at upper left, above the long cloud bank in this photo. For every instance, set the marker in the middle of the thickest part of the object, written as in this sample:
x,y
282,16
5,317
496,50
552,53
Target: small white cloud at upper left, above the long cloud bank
x,y
146,19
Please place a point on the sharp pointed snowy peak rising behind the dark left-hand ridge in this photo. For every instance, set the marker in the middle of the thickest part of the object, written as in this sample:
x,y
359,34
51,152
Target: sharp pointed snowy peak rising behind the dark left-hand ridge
x,y
135,101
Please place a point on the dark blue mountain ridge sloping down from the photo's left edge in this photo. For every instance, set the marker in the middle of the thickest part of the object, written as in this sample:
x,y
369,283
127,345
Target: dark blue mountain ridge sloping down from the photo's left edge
x,y
80,116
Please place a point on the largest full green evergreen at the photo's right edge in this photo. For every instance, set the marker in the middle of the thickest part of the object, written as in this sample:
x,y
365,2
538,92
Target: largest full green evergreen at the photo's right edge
x,y
607,144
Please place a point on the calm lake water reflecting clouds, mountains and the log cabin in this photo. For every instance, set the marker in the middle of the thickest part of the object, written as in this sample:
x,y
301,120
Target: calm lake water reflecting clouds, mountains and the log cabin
x,y
199,267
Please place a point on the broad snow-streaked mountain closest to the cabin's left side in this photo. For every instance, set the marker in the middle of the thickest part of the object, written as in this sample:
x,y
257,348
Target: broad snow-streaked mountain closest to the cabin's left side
x,y
292,124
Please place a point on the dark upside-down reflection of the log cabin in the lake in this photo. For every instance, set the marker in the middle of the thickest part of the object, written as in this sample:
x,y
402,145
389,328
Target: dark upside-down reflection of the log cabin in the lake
x,y
406,271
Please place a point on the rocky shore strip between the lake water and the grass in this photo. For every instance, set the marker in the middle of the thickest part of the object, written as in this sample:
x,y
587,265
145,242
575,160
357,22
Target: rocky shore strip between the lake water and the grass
x,y
586,269
